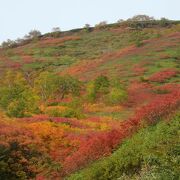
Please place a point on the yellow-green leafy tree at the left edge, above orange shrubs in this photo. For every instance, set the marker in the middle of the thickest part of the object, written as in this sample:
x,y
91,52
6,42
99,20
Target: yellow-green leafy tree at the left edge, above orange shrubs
x,y
17,98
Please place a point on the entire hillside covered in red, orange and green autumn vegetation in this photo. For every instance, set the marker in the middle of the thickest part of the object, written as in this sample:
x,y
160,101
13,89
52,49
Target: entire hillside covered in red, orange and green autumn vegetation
x,y
101,100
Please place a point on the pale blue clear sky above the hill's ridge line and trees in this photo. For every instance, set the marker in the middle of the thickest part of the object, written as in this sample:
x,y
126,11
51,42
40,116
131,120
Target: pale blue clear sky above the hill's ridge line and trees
x,y
18,17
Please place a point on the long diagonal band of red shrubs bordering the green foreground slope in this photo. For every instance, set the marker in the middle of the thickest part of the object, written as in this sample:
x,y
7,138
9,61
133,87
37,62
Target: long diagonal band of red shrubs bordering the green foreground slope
x,y
102,144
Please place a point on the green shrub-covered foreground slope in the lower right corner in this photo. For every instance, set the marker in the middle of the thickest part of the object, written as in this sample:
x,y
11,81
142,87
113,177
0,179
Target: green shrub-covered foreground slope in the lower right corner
x,y
153,150
